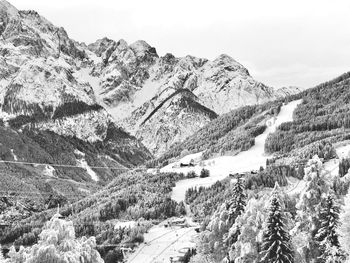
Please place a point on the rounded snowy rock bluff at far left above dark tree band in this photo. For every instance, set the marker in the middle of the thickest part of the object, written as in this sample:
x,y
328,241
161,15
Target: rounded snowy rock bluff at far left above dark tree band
x,y
45,84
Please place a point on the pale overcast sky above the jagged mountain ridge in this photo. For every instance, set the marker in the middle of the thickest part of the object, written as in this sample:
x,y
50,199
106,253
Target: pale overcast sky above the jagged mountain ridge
x,y
281,42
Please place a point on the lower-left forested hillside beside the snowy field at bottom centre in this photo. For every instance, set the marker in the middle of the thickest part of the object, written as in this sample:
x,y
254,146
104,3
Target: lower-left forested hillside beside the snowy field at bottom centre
x,y
135,196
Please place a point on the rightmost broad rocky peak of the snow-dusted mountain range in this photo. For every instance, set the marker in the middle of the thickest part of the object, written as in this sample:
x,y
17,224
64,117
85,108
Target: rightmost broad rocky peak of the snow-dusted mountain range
x,y
224,84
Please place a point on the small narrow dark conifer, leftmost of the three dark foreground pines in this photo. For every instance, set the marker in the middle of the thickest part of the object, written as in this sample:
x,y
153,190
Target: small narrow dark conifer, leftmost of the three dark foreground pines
x,y
238,202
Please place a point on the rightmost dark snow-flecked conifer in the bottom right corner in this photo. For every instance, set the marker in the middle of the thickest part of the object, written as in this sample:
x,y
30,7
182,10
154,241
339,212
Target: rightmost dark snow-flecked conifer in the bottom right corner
x,y
327,236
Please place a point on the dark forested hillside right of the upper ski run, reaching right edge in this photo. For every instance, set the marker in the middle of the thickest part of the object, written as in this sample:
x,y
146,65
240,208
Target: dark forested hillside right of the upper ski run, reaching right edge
x,y
323,116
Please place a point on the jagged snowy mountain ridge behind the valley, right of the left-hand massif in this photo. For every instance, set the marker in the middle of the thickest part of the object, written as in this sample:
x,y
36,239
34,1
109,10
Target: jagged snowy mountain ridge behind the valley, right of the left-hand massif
x,y
144,91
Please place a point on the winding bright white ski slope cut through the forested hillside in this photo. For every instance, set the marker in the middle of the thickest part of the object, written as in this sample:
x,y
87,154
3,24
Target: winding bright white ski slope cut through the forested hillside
x,y
222,166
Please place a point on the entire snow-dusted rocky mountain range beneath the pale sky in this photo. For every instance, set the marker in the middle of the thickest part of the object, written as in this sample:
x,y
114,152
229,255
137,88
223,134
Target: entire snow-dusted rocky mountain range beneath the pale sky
x,y
52,82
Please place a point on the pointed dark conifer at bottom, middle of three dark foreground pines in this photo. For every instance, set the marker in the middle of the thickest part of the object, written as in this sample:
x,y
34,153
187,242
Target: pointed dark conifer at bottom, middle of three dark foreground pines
x,y
276,247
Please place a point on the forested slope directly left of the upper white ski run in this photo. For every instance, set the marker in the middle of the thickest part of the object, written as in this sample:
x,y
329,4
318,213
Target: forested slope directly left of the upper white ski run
x,y
228,134
